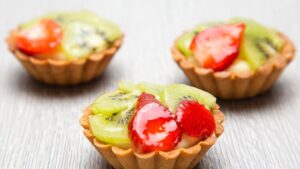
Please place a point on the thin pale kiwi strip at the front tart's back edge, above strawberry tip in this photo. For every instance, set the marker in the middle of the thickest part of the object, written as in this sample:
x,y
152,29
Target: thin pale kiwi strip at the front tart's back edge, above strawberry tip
x,y
154,89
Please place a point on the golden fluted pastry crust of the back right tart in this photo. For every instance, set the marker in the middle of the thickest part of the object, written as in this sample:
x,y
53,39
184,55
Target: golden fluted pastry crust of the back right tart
x,y
231,85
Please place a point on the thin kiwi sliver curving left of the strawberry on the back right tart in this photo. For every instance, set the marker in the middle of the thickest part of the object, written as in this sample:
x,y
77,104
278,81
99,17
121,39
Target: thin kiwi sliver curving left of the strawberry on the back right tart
x,y
184,41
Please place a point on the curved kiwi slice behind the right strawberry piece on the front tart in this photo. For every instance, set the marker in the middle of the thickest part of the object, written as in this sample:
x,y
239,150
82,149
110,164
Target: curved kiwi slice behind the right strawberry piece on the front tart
x,y
173,94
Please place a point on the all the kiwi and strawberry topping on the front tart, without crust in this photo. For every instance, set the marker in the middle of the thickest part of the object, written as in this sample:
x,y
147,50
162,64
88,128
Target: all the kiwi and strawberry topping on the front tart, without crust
x,y
143,116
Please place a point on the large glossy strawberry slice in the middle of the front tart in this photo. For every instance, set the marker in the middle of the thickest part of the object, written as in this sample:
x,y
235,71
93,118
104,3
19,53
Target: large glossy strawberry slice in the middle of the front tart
x,y
152,127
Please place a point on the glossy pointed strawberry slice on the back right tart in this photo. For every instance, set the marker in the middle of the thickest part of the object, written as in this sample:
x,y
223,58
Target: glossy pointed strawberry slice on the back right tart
x,y
217,47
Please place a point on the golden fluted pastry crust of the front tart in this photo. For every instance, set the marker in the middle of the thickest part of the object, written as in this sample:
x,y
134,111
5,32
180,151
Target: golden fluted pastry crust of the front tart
x,y
183,158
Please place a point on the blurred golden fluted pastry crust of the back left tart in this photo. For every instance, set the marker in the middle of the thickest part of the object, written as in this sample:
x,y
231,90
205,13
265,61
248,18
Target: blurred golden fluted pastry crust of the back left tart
x,y
62,73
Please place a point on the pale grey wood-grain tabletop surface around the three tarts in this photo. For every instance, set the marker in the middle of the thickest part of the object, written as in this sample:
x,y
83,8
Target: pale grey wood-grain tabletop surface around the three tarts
x,y
39,125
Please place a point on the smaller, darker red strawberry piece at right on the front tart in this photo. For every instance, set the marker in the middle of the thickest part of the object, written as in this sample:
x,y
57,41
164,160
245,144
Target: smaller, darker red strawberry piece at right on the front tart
x,y
195,119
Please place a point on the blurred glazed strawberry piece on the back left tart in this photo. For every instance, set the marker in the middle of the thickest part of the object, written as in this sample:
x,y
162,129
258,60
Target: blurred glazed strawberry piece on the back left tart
x,y
41,37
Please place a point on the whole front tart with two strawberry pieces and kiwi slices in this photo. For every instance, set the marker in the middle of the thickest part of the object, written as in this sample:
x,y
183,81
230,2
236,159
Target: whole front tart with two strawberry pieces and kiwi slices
x,y
150,126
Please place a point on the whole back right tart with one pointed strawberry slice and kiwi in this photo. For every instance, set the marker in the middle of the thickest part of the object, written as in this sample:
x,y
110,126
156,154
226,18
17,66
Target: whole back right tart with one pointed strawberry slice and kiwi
x,y
236,59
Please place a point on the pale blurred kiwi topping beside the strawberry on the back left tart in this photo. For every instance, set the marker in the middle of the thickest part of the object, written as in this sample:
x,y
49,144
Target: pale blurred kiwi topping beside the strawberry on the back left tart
x,y
84,33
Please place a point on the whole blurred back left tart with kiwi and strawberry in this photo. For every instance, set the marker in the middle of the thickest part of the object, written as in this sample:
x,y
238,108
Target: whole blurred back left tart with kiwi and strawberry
x,y
65,48
